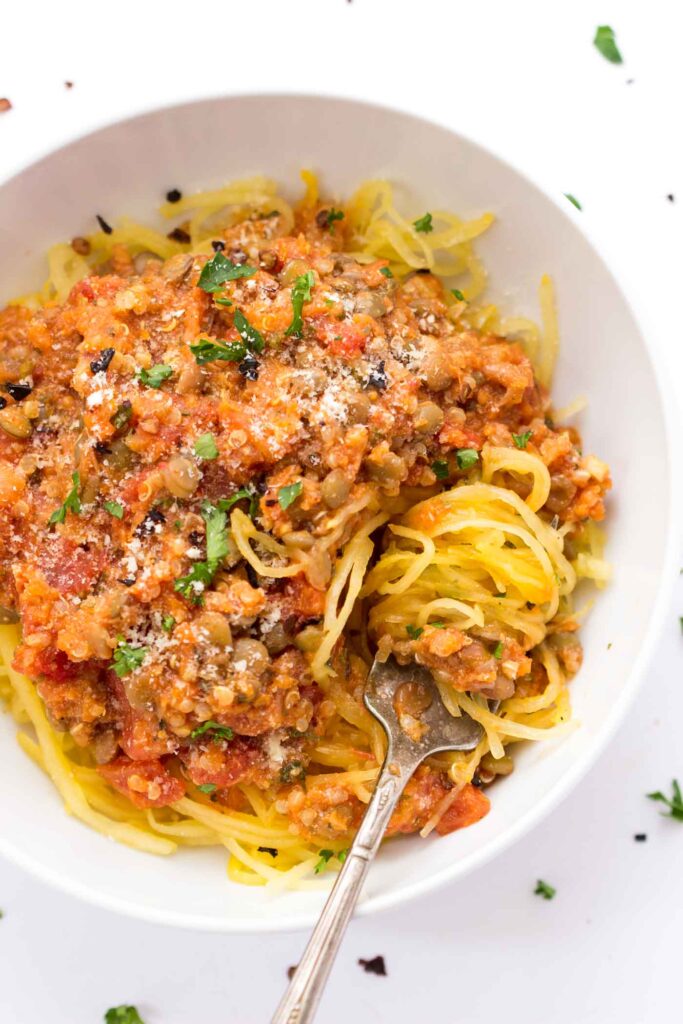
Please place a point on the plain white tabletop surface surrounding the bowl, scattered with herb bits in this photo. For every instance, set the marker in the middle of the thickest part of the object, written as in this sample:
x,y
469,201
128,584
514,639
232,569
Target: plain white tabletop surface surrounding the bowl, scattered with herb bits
x,y
526,79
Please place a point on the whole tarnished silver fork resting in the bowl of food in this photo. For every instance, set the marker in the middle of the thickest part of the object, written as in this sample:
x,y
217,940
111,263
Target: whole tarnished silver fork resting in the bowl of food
x,y
434,730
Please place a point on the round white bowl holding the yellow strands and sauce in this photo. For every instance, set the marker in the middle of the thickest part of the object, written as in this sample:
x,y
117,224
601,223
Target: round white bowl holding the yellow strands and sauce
x,y
126,169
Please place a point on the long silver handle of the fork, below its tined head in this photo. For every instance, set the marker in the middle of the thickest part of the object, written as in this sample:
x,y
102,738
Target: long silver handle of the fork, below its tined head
x,y
301,1001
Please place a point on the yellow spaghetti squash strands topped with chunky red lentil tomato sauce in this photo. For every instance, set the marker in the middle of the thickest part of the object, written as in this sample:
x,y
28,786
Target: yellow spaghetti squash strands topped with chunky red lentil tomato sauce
x,y
236,463
